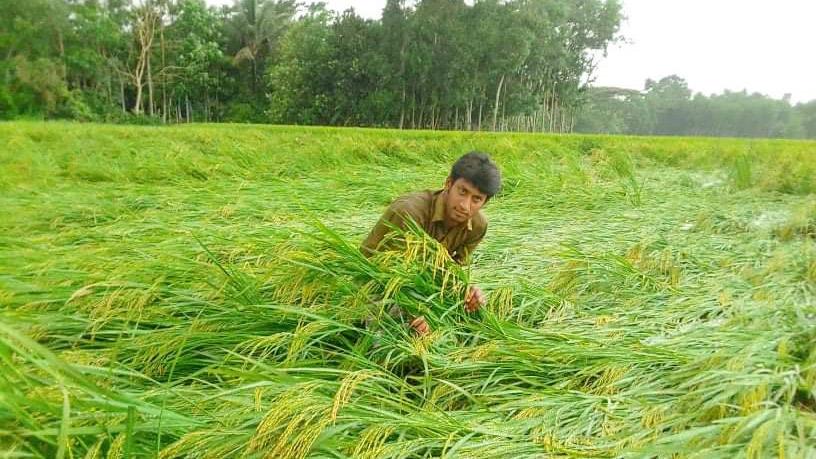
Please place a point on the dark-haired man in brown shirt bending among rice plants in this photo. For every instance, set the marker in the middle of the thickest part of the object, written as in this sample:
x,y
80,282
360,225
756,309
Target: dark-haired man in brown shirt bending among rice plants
x,y
452,216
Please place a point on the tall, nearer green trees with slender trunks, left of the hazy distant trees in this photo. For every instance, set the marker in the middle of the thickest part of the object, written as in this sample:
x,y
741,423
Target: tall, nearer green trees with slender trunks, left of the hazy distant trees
x,y
437,64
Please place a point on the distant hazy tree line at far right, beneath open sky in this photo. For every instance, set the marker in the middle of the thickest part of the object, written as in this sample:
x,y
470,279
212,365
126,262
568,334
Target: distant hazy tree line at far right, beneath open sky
x,y
667,107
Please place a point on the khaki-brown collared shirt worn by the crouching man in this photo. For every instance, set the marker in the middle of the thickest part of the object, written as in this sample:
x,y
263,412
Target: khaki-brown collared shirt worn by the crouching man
x,y
427,209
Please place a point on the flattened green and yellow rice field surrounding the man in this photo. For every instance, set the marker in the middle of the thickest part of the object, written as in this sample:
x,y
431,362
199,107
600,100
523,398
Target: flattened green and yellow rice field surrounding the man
x,y
197,292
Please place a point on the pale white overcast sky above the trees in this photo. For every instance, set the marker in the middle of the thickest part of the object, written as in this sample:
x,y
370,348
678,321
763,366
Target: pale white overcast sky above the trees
x,y
766,46
